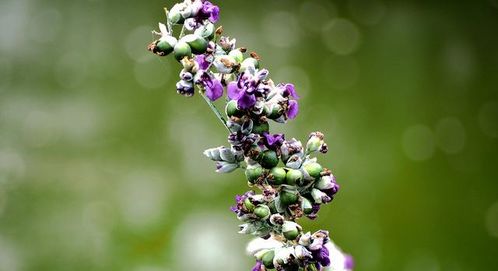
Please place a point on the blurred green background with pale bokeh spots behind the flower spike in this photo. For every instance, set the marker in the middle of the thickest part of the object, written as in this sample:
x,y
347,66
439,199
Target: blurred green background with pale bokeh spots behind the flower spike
x,y
101,164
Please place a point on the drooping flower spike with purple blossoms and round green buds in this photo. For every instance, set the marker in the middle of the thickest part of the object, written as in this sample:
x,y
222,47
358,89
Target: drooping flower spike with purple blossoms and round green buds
x,y
290,181
